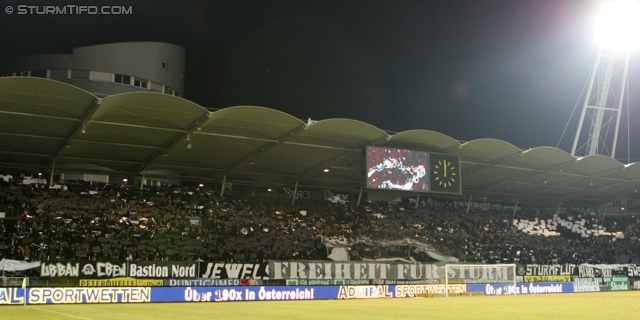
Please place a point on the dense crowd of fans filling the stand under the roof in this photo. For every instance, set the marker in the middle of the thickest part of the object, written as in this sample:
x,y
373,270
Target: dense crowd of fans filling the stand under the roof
x,y
85,220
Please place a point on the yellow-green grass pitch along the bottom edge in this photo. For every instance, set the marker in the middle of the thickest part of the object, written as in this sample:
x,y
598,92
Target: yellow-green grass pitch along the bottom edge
x,y
597,305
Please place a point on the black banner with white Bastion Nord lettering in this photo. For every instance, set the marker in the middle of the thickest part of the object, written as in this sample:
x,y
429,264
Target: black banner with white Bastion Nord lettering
x,y
162,269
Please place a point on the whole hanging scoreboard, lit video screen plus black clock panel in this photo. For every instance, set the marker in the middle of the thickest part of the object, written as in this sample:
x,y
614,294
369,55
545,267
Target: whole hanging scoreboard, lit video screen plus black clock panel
x,y
412,170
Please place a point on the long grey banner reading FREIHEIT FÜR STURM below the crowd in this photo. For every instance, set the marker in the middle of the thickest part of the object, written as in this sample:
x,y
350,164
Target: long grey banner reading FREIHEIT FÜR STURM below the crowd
x,y
385,270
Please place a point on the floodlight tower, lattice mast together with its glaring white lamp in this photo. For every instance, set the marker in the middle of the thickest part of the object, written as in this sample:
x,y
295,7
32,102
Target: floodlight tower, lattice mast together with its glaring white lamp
x,y
617,33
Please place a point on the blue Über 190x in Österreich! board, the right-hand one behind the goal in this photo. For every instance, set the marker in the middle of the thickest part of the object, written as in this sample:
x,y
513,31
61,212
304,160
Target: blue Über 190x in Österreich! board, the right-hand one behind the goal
x,y
521,288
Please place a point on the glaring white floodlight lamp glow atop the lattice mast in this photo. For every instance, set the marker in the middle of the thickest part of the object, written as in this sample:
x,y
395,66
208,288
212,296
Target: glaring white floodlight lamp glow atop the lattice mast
x,y
618,25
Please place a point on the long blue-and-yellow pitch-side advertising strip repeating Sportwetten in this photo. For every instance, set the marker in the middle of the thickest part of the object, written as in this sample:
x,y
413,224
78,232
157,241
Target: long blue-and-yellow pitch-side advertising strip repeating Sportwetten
x,y
82,295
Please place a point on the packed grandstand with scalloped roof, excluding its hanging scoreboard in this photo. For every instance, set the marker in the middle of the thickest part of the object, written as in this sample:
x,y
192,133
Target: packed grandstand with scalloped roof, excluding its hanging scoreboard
x,y
255,184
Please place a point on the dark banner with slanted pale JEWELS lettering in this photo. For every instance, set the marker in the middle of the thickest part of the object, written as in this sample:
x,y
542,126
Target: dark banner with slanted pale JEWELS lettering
x,y
222,270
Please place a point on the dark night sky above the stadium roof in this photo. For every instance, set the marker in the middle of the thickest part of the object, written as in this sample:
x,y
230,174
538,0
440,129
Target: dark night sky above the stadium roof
x,y
510,70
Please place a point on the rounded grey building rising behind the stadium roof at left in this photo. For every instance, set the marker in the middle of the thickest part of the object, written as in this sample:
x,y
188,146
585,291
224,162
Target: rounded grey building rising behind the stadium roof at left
x,y
110,69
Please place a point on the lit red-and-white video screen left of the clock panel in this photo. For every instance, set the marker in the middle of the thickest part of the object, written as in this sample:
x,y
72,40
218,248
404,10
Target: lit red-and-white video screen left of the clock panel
x,y
397,169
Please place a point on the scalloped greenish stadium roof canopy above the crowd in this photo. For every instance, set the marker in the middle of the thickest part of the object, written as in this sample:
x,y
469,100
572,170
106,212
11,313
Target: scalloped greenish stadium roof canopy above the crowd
x,y
44,122
